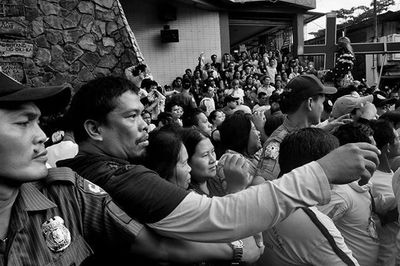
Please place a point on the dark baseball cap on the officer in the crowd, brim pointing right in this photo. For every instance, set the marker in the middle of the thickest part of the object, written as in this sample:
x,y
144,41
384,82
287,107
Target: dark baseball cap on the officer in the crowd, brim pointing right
x,y
307,85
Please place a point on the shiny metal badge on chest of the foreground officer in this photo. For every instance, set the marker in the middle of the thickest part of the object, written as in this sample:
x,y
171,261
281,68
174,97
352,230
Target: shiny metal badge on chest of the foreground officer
x,y
57,236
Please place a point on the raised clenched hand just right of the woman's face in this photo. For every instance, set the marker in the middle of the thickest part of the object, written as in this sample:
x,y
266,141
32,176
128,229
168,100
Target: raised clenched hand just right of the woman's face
x,y
236,173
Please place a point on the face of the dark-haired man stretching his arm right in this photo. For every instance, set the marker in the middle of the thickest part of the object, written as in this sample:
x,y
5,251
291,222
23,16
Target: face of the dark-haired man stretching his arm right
x,y
124,134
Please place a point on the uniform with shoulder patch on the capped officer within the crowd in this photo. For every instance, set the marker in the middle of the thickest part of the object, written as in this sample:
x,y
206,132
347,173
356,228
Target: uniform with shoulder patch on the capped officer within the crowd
x,y
268,166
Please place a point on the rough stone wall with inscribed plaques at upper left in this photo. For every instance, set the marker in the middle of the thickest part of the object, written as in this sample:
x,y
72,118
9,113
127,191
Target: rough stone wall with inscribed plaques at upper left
x,y
49,42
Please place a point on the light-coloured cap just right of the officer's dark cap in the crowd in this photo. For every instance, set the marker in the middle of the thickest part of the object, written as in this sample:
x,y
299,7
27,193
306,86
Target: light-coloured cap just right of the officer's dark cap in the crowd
x,y
347,103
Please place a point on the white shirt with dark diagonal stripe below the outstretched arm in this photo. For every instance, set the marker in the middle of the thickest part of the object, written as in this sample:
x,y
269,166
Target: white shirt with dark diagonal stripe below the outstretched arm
x,y
298,241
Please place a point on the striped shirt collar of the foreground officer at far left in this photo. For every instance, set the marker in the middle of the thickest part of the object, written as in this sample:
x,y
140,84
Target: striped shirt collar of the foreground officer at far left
x,y
33,199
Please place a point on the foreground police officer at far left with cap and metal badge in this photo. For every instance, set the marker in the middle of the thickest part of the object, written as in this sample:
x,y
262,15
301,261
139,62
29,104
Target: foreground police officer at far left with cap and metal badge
x,y
55,217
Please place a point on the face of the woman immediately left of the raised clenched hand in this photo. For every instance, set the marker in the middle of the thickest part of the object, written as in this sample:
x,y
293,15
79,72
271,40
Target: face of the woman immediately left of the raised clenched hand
x,y
203,161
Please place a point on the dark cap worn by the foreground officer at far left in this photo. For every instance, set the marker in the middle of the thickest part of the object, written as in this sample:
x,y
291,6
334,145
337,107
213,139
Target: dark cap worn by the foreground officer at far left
x,y
49,98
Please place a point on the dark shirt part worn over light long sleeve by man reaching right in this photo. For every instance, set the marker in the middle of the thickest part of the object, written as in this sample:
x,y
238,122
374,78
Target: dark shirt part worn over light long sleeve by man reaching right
x,y
140,196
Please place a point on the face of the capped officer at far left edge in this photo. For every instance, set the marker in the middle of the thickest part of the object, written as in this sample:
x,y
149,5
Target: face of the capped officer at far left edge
x,y
23,156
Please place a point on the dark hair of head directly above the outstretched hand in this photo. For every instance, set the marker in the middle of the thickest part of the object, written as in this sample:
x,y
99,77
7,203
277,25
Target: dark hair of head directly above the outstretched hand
x,y
353,132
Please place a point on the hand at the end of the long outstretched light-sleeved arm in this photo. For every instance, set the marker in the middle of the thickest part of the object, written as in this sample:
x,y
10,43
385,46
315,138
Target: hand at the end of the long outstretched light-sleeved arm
x,y
350,162
